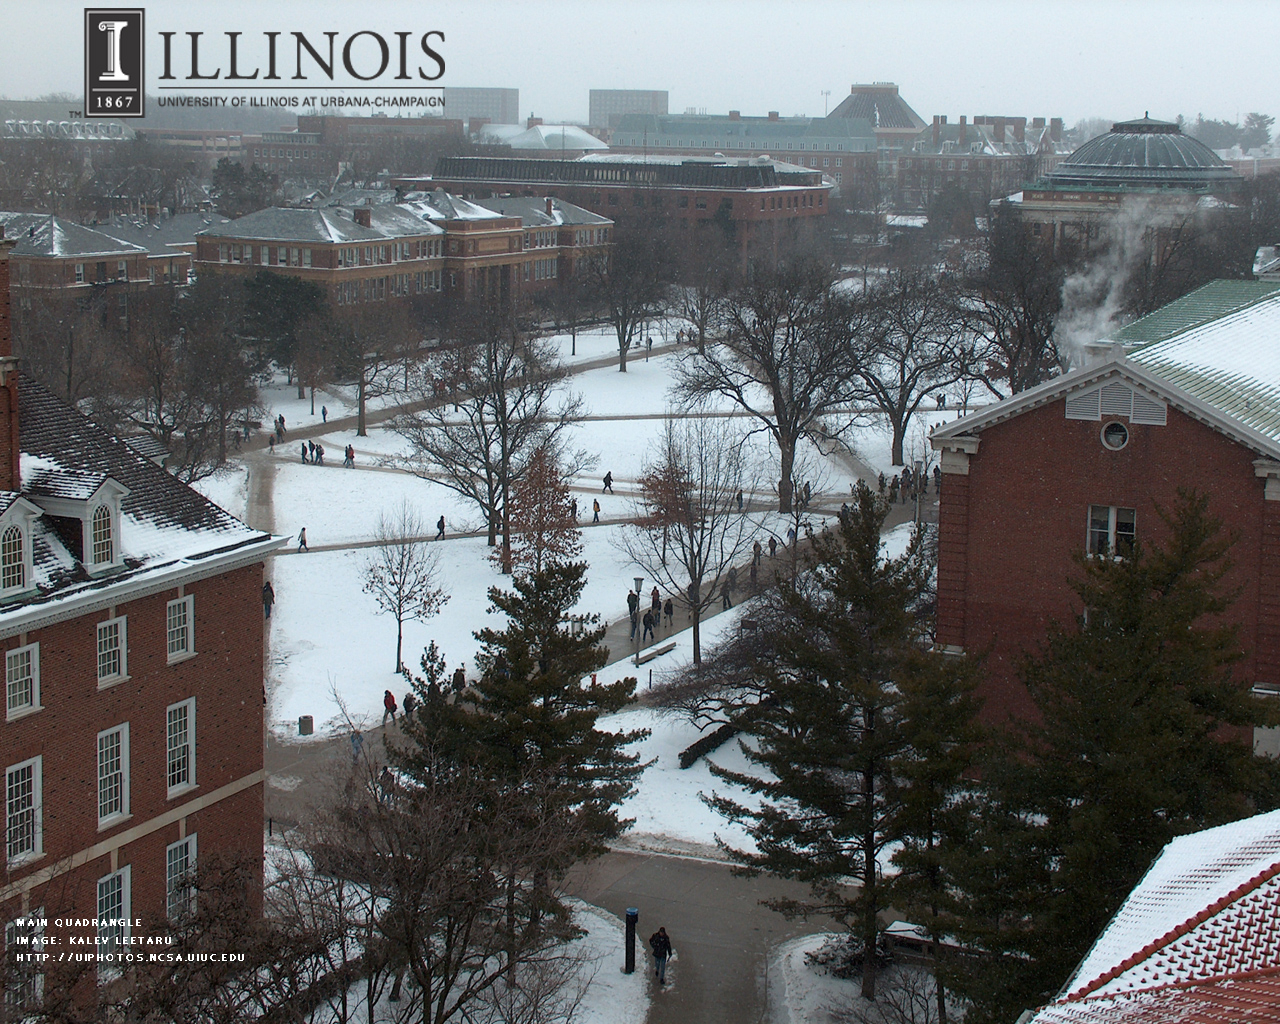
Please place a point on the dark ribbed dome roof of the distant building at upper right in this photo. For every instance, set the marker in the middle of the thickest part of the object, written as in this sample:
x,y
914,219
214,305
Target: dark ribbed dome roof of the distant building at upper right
x,y
1146,154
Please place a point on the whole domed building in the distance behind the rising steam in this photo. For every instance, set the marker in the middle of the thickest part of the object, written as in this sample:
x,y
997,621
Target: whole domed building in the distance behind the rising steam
x,y
1144,163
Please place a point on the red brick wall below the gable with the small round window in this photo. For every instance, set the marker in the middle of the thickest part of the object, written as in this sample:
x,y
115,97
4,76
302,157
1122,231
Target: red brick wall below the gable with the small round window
x,y
1030,488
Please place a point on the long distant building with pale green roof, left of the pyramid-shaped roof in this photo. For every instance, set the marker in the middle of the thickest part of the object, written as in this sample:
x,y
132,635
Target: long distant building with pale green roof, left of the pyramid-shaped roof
x,y
843,149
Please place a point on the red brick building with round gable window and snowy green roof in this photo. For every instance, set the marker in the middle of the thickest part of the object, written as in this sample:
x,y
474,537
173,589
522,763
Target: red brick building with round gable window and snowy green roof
x,y
1082,463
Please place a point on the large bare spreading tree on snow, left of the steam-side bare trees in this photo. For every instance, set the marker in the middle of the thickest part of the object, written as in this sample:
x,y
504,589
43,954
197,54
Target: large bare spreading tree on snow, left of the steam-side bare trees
x,y
784,359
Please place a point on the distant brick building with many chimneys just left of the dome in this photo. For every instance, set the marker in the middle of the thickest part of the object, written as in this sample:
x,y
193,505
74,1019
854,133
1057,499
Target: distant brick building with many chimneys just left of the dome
x,y
989,159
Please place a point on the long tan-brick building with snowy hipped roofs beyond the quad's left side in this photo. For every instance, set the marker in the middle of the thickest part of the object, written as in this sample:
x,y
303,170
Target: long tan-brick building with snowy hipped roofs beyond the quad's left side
x,y
428,244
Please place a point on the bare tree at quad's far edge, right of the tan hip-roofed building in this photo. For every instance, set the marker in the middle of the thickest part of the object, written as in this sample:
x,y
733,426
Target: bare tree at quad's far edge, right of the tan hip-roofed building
x,y
630,286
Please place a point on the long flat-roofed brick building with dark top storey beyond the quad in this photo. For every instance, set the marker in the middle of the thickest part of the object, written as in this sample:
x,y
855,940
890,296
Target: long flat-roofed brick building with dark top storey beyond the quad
x,y
760,203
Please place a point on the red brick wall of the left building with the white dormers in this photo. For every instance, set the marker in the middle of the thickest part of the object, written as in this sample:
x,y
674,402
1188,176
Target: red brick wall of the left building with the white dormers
x,y
226,678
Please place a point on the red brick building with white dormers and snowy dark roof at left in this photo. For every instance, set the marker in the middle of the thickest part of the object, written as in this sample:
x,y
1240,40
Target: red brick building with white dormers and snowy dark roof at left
x,y
134,674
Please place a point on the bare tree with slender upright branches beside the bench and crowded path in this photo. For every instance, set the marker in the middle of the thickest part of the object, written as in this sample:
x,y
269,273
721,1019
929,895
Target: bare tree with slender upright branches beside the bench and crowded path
x,y
688,532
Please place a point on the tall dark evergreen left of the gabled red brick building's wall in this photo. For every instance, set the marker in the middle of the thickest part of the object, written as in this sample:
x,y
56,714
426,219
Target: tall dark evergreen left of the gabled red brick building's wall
x,y
844,643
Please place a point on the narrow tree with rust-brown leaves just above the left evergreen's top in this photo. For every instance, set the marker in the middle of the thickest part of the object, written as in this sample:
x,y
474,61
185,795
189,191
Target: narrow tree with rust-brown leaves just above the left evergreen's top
x,y
543,525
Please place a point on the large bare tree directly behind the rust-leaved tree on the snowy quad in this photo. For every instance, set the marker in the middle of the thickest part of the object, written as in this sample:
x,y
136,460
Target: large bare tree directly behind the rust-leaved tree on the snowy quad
x,y
482,409
